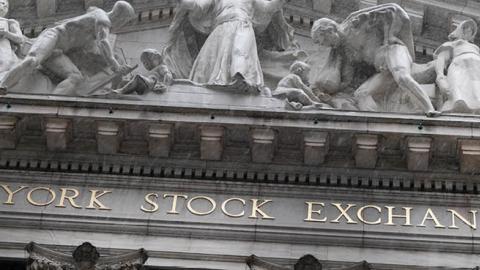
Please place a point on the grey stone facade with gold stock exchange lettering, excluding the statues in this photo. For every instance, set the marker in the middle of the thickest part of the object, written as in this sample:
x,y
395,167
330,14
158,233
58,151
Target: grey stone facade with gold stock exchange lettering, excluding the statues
x,y
200,183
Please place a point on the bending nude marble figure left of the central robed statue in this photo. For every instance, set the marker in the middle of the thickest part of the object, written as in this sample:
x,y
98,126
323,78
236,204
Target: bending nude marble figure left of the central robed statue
x,y
52,48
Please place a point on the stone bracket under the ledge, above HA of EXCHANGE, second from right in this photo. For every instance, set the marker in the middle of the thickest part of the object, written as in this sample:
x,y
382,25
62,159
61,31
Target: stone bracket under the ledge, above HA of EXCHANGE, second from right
x,y
418,153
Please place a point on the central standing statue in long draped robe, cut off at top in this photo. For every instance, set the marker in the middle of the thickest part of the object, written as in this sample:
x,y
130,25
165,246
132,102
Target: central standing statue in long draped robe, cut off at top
x,y
233,37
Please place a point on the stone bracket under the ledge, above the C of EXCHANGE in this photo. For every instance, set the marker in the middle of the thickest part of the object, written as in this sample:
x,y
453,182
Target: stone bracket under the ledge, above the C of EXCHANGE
x,y
365,150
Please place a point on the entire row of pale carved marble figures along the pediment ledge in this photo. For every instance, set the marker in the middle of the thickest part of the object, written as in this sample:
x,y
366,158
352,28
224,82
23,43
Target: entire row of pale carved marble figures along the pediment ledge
x,y
247,45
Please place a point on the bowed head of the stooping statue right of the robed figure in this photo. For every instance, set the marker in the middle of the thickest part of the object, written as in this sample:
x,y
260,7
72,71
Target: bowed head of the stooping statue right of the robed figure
x,y
326,33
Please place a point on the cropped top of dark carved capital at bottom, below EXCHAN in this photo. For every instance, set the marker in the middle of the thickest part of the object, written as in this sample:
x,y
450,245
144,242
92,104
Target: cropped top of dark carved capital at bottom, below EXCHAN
x,y
307,262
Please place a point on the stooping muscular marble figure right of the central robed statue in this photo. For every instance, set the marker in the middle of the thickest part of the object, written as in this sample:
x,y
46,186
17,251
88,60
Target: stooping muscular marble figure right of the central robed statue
x,y
375,43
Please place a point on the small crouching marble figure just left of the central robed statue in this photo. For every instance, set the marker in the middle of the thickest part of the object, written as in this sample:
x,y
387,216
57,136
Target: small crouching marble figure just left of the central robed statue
x,y
156,80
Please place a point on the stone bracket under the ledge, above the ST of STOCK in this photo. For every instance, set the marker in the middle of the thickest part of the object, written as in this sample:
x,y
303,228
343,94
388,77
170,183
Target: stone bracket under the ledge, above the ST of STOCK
x,y
160,138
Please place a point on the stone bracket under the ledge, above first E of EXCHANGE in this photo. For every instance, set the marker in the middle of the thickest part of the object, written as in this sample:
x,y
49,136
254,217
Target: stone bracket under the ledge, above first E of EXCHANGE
x,y
315,147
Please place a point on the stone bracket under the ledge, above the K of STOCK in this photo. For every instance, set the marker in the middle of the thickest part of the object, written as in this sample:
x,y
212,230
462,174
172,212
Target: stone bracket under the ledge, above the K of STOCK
x,y
262,145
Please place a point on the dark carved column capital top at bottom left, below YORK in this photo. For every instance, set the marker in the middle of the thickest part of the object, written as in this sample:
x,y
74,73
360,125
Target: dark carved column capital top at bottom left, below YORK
x,y
84,257
